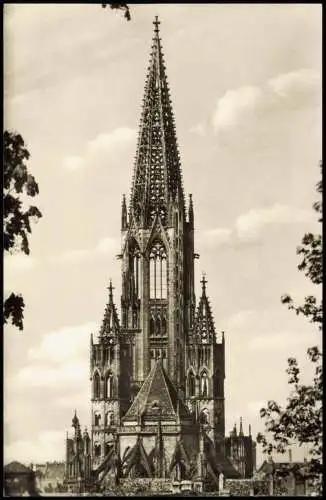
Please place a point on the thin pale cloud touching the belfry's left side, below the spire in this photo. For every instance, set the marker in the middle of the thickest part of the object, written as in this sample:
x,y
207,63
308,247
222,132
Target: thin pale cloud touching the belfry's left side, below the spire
x,y
105,246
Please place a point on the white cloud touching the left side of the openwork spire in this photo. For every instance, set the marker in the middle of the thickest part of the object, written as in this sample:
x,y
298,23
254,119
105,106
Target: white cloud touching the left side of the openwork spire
x,y
104,147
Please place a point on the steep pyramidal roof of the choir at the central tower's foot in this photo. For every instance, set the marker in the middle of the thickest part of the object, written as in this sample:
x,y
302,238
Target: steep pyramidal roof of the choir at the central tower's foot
x,y
157,394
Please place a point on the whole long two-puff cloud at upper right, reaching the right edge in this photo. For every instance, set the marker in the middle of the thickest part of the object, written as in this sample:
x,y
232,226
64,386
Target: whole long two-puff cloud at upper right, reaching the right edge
x,y
238,106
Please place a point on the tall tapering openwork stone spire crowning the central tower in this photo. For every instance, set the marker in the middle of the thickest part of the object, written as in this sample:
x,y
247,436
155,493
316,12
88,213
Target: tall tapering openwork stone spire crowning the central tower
x,y
157,173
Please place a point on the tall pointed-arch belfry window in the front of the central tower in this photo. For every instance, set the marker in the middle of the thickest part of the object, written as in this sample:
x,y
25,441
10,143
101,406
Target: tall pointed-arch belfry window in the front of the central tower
x,y
158,272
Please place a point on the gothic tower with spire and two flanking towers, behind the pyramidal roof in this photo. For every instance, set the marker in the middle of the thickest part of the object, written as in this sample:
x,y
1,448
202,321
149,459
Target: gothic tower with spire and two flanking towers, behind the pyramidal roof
x,y
159,317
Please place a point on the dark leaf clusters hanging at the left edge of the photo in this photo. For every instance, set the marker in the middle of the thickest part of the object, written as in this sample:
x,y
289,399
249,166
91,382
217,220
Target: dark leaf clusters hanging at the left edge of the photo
x,y
17,182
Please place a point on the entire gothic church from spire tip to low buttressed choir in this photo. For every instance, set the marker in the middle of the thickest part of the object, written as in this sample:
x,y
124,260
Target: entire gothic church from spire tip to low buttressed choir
x,y
157,372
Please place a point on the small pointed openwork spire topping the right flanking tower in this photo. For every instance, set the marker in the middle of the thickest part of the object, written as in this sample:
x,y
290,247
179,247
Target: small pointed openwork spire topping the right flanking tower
x,y
204,323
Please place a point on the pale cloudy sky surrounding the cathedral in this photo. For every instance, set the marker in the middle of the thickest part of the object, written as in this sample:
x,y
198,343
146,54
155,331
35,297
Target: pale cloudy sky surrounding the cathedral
x,y
245,84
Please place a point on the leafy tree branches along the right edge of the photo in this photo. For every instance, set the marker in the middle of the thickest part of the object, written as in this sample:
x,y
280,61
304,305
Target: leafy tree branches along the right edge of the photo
x,y
300,421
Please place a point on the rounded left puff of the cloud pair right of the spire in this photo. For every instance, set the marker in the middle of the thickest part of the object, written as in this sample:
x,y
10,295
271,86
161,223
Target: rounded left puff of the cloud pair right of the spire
x,y
235,105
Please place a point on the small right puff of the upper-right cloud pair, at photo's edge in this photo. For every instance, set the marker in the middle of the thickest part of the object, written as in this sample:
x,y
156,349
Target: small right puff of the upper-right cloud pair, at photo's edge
x,y
294,82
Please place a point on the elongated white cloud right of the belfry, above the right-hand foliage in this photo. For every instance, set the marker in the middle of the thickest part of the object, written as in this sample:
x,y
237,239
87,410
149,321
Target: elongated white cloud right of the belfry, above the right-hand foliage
x,y
250,223
